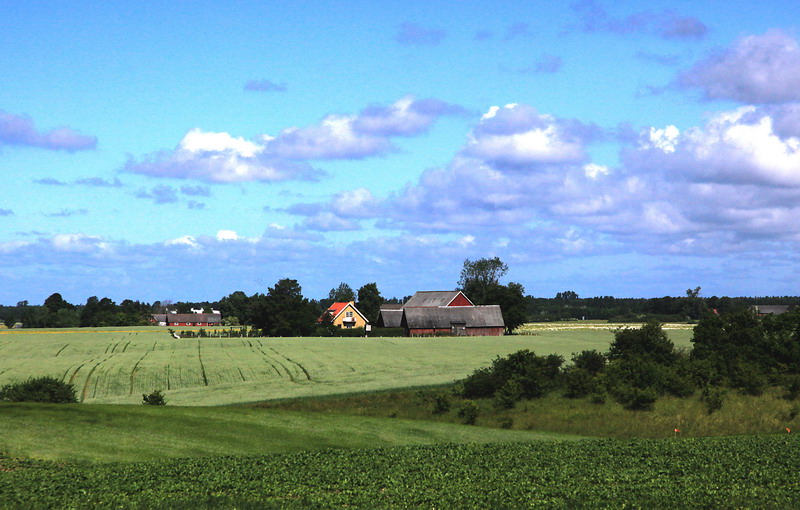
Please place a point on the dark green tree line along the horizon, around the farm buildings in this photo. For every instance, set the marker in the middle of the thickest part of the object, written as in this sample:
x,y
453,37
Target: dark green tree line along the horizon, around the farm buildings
x,y
283,310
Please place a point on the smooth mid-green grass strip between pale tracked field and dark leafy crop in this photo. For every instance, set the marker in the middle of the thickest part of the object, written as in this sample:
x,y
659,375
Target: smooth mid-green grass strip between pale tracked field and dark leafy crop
x,y
128,433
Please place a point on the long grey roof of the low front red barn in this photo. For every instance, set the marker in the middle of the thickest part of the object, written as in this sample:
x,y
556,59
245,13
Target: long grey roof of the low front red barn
x,y
441,317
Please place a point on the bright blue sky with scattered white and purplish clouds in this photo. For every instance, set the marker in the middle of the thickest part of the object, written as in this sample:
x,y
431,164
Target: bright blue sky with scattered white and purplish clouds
x,y
179,151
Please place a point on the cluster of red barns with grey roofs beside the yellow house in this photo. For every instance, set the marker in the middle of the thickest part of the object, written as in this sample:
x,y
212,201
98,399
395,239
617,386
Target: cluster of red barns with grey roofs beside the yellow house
x,y
429,313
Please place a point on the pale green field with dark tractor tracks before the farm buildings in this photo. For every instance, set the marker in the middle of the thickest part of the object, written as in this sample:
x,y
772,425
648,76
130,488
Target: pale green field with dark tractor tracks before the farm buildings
x,y
119,365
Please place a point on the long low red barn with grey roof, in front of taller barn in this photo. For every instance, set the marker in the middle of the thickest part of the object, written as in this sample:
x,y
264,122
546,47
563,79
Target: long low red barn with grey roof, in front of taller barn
x,y
486,320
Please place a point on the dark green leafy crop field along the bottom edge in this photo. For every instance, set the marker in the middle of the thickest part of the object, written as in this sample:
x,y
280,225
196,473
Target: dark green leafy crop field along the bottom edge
x,y
736,472
